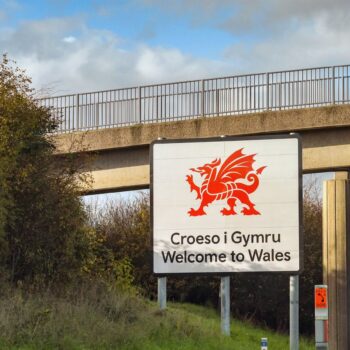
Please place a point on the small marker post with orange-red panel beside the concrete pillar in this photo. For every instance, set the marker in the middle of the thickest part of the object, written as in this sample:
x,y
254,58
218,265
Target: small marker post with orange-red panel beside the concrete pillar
x,y
321,317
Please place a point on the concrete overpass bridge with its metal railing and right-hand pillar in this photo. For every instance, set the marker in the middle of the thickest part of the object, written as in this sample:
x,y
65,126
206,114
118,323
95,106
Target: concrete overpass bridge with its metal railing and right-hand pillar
x,y
120,124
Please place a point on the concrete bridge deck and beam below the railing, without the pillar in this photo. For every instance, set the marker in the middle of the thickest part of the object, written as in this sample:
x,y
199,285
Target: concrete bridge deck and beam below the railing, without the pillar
x,y
121,161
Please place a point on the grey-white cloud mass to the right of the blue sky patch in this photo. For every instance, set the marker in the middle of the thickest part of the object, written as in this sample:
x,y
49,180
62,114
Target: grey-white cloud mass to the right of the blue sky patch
x,y
273,34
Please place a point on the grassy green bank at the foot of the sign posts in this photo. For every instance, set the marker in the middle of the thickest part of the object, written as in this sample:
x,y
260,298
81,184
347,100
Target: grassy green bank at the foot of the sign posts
x,y
96,319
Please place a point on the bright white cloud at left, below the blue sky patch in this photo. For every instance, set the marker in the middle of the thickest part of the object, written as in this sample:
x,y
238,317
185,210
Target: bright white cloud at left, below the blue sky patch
x,y
95,59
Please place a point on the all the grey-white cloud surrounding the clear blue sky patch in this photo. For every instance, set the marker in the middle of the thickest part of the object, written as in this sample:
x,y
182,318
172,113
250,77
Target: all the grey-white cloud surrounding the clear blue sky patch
x,y
67,56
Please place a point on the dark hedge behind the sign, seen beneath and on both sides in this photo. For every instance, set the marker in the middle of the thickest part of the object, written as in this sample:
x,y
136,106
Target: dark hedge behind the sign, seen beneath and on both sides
x,y
125,228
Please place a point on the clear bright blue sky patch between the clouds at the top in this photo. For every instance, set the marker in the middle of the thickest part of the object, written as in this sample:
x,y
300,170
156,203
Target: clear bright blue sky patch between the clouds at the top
x,y
134,22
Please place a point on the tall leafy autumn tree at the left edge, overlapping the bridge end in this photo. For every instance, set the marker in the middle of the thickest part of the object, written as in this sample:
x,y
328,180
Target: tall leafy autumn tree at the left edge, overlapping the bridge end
x,y
43,231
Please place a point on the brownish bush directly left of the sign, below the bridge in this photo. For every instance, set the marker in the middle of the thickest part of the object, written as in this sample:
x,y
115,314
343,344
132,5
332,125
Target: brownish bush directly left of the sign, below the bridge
x,y
124,230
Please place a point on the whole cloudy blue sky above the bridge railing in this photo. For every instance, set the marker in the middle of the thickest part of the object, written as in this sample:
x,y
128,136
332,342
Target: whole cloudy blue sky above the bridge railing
x,y
76,46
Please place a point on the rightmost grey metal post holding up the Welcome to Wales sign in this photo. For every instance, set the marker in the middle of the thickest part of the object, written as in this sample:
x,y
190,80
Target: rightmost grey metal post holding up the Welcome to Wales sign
x,y
294,312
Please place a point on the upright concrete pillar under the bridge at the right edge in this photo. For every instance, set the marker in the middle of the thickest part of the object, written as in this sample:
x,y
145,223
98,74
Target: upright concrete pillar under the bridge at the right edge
x,y
336,258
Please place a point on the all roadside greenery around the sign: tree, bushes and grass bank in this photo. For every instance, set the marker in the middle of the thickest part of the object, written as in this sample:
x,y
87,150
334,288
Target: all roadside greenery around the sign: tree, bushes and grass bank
x,y
73,277
